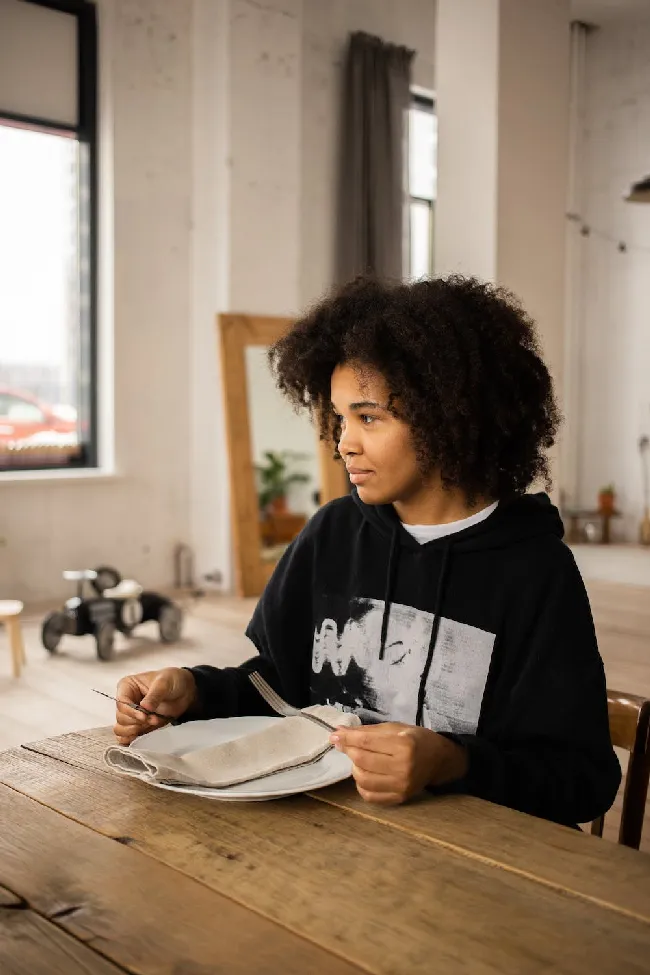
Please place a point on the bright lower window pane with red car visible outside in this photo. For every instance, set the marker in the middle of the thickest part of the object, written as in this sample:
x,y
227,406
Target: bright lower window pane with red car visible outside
x,y
39,299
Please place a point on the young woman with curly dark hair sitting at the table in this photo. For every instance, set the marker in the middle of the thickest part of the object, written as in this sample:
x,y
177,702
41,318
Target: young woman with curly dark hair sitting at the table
x,y
437,600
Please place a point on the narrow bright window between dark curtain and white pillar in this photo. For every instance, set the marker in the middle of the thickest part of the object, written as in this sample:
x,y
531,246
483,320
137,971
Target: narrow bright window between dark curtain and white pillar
x,y
423,139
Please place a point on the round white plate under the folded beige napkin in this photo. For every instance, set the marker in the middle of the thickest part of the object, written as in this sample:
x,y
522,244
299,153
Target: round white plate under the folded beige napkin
x,y
176,740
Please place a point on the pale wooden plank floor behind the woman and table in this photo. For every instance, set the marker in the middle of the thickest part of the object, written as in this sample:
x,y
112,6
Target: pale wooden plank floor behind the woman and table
x,y
54,694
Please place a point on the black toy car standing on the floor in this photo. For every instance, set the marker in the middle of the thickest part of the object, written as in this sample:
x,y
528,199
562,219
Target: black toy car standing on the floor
x,y
115,604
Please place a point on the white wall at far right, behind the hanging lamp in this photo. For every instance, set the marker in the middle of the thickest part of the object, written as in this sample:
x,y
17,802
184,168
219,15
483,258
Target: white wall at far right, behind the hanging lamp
x,y
615,327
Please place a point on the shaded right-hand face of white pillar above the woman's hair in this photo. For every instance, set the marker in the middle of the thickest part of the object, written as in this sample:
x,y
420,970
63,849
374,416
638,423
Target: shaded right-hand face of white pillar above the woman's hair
x,y
533,164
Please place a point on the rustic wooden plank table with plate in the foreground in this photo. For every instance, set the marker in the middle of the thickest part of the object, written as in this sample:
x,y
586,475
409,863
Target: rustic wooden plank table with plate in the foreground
x,y
102,874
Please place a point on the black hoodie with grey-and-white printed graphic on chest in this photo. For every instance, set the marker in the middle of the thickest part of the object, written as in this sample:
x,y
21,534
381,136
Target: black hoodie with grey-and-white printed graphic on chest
x,y
484,635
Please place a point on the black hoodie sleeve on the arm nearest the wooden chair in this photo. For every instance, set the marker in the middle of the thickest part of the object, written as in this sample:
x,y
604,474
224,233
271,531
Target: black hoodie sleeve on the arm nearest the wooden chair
x,y
548,750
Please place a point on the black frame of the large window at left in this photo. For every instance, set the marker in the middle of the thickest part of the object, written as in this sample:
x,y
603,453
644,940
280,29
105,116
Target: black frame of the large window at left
x,y
85,132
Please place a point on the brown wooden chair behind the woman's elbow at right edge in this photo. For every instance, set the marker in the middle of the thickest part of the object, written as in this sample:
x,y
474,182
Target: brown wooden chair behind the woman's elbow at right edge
x,y
629,723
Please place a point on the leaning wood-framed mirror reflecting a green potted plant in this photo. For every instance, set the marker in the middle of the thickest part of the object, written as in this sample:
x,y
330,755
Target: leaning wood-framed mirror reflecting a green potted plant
x,y
279,470
